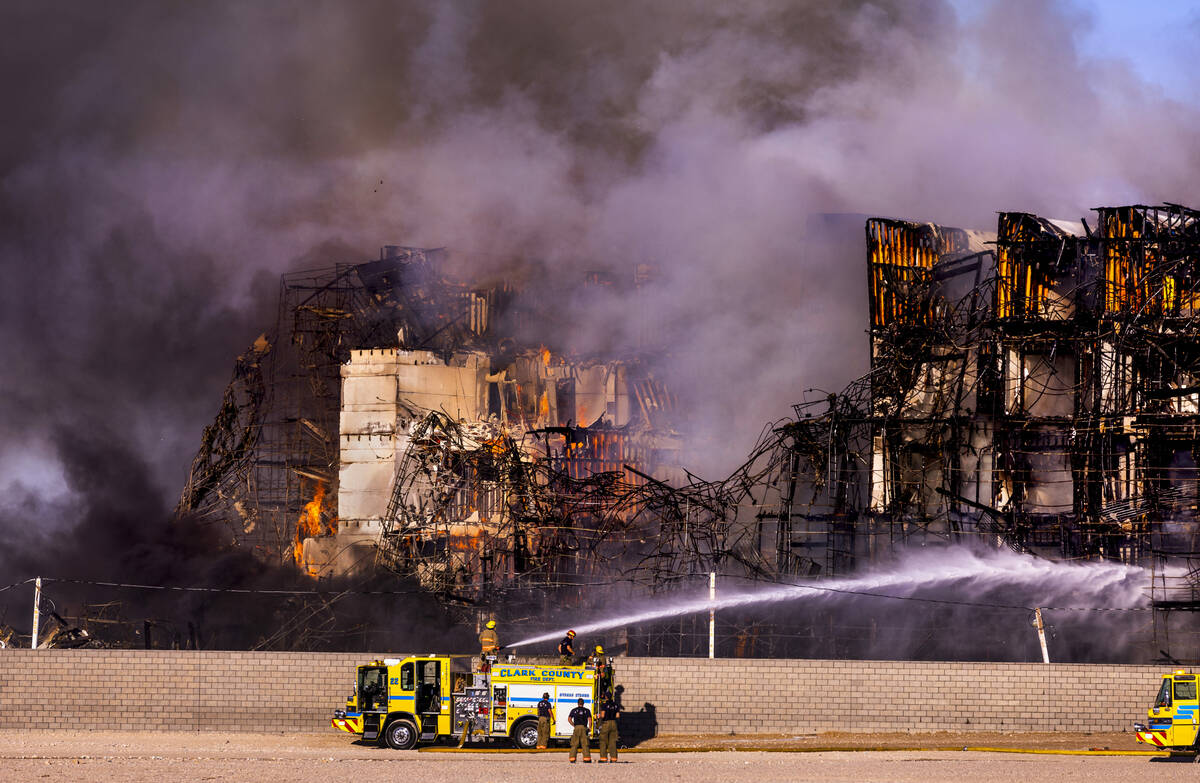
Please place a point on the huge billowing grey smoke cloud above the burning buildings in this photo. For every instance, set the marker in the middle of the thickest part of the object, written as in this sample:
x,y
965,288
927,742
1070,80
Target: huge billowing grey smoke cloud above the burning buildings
x,y
163,163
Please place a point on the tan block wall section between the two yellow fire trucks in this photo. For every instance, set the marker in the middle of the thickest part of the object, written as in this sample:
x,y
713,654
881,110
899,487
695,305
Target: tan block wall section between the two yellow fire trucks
x,y
769,697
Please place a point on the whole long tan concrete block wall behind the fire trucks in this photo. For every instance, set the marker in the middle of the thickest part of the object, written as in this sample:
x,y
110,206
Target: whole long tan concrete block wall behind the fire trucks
x,y
298,692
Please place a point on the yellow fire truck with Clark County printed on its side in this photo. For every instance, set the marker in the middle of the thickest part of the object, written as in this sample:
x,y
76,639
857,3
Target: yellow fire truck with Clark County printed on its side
x,y
422,700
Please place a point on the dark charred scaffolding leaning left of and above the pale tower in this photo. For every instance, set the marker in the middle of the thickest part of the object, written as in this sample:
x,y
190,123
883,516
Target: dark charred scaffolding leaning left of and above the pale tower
x,y
272,451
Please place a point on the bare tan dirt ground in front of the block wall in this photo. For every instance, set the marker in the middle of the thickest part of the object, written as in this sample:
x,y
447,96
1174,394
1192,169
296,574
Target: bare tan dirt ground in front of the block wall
x,y
129,757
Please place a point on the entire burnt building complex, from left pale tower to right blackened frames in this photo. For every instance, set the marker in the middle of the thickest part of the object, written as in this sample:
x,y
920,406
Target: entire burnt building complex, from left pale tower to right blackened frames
x,y
1037,388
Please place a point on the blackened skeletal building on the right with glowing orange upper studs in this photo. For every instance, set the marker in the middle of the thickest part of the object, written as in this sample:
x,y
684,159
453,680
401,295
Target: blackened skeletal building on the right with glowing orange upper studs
x,y
1034,390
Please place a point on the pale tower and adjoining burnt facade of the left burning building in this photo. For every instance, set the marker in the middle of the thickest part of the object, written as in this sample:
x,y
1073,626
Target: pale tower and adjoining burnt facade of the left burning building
x,y
470,477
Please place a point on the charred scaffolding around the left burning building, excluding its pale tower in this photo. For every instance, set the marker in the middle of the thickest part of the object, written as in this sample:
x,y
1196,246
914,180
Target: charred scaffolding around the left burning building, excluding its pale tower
x,y
476,509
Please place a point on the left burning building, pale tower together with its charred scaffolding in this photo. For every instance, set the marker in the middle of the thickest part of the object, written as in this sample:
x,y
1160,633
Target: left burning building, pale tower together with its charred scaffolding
x,y
394,420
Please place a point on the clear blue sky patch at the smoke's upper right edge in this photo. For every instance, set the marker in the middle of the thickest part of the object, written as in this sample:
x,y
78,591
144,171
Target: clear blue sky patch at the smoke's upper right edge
x,y
1159,39
